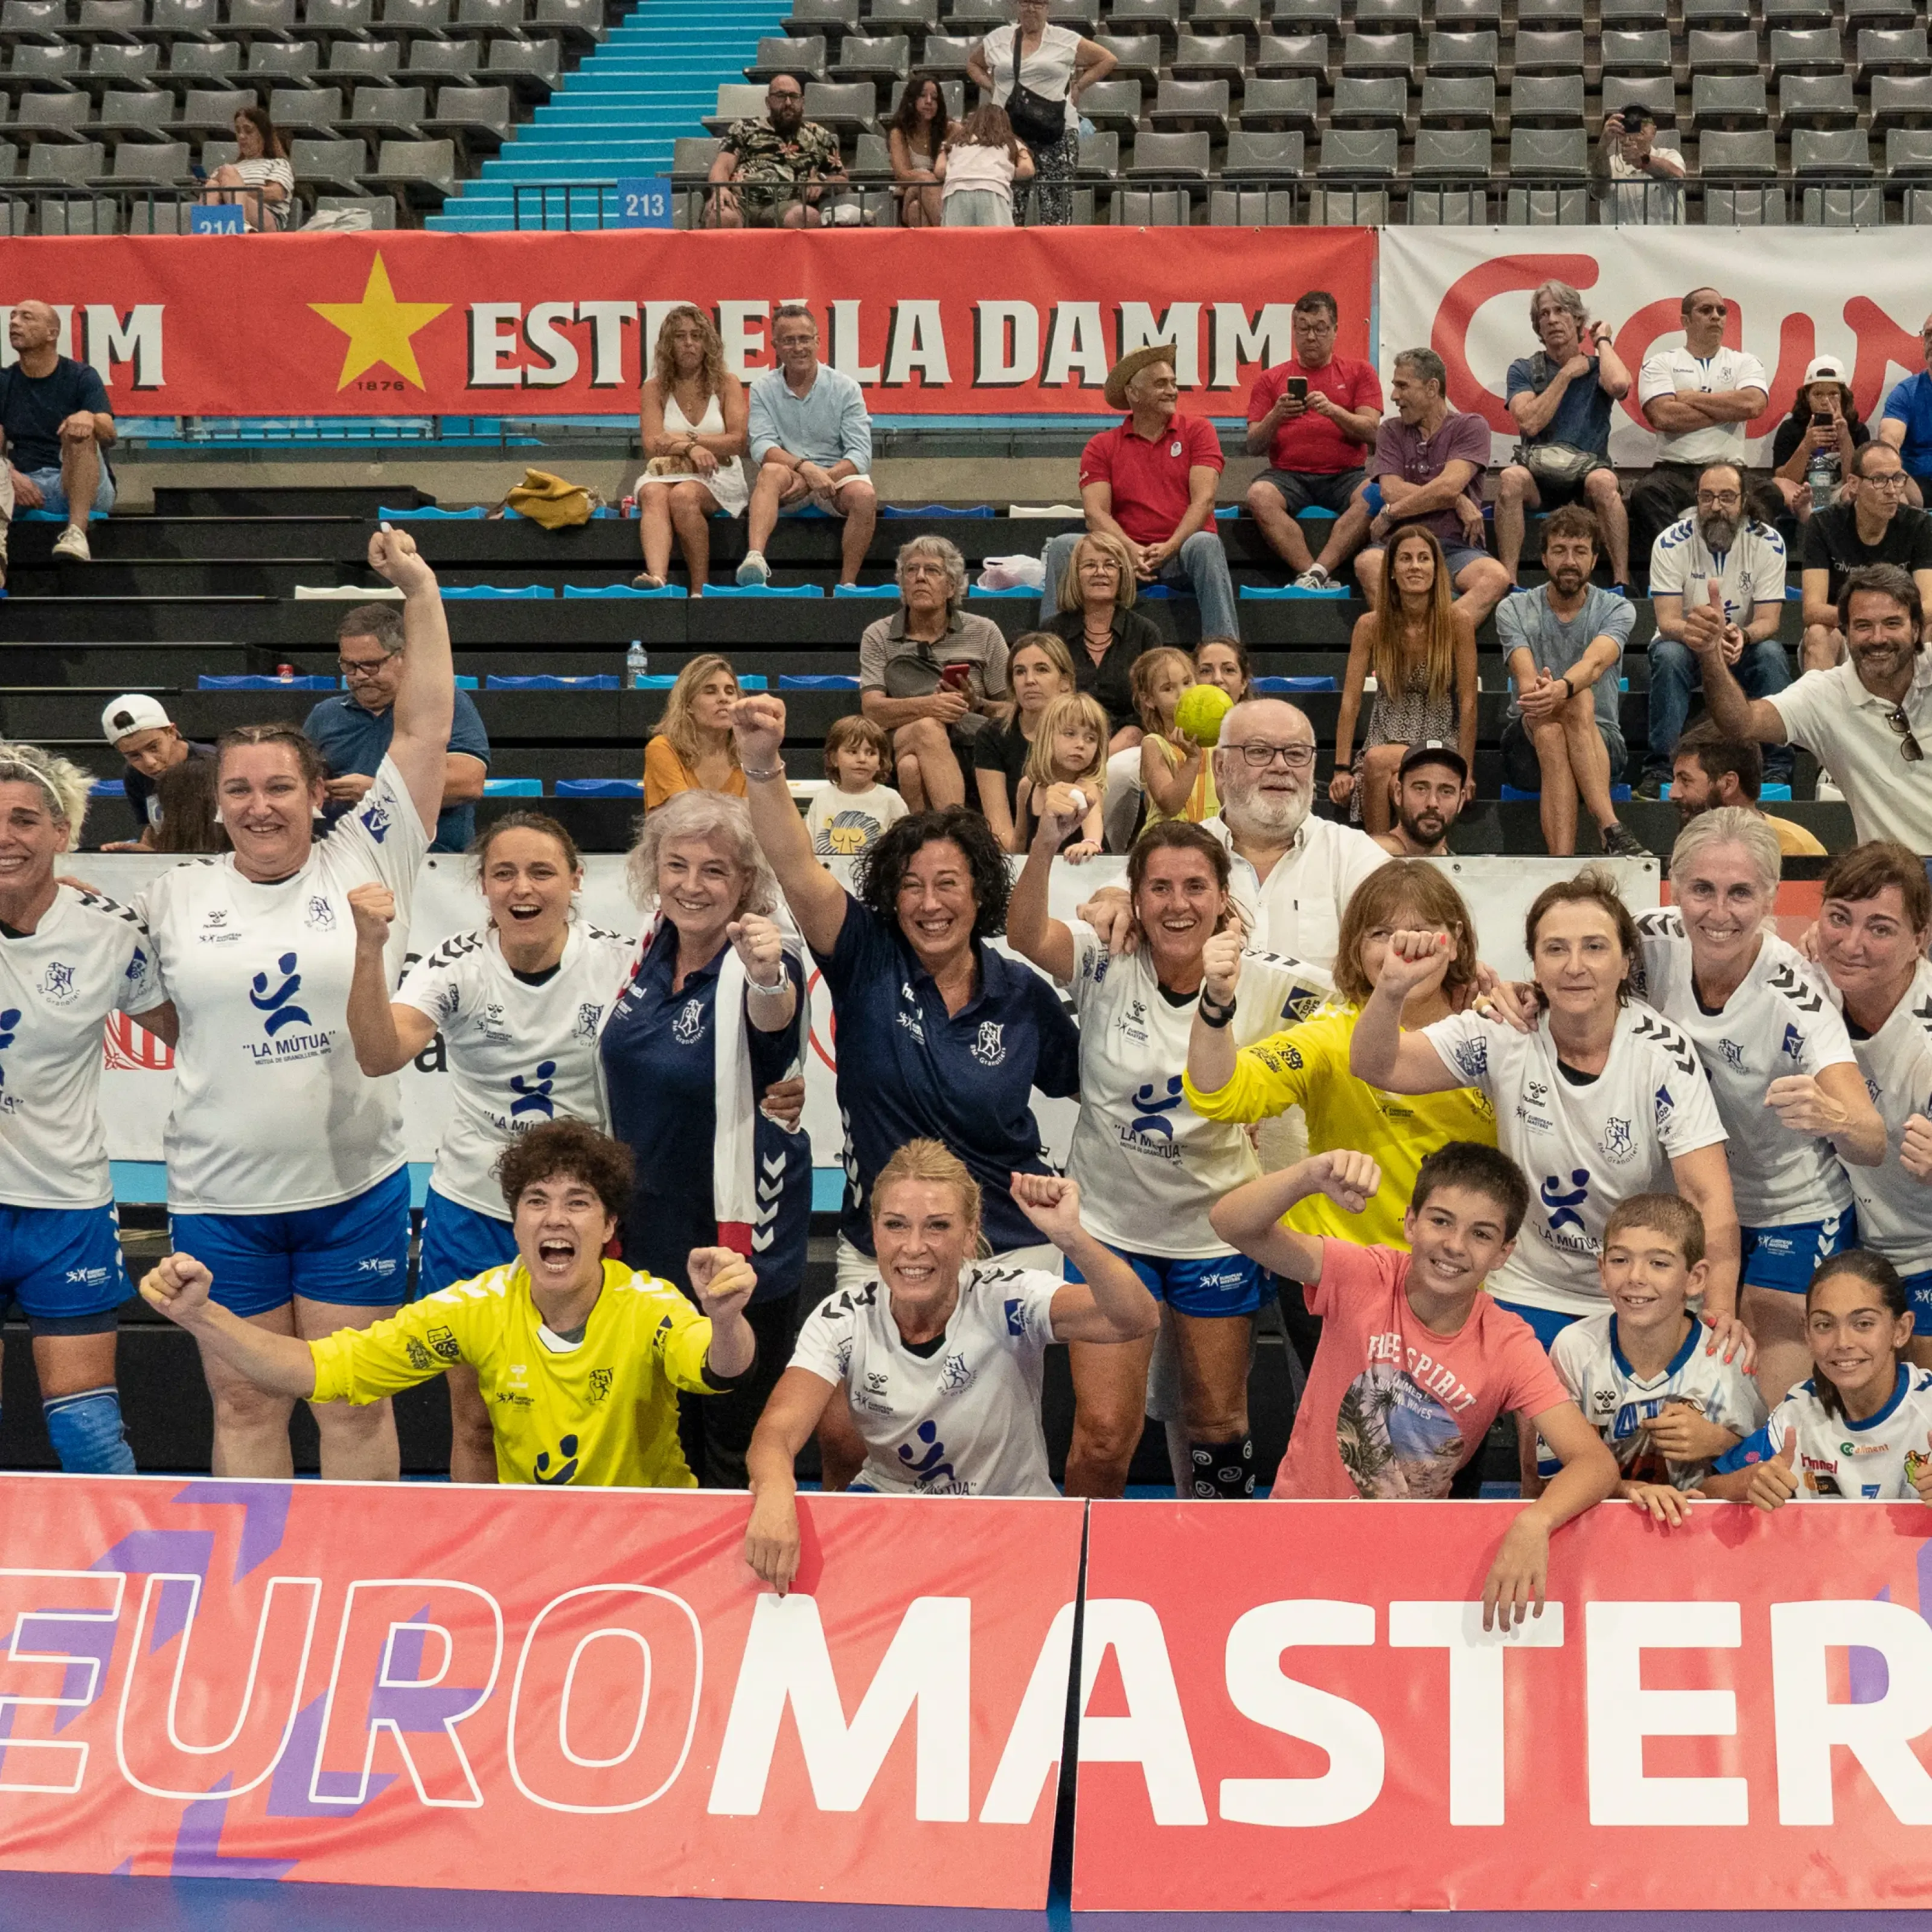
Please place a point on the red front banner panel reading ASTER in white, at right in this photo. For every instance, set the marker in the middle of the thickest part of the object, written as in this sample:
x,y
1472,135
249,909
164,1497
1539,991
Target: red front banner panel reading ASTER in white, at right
x,y
1295,1709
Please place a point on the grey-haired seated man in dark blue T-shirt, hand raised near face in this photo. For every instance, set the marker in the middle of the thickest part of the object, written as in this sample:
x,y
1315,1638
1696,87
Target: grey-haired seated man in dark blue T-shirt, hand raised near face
x,y
1560,399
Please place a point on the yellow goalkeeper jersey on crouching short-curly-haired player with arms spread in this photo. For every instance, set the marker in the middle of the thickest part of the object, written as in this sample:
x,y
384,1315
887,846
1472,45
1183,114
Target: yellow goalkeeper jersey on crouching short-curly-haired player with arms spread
x,y
602,1411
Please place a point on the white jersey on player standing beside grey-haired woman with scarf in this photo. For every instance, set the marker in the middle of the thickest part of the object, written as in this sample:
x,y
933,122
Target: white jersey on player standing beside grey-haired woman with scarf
x,y
519,1054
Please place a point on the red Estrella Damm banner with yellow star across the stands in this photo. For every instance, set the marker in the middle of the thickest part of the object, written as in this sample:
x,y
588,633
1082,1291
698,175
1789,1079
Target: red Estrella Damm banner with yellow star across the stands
x,y
975,324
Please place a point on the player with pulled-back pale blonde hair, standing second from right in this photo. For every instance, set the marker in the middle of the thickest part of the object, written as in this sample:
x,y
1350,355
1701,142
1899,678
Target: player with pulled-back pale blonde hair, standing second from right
x,y
1780,1067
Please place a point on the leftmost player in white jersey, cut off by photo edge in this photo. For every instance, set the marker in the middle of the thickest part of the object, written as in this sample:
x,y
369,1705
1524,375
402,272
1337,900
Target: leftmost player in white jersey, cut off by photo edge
x,y
69,959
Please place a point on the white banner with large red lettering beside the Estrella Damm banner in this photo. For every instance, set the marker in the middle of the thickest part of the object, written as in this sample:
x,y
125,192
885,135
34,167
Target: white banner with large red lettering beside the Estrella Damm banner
x,y
1794,295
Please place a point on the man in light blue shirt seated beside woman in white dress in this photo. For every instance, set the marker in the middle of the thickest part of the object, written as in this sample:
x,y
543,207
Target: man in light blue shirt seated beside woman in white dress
x,y
812,445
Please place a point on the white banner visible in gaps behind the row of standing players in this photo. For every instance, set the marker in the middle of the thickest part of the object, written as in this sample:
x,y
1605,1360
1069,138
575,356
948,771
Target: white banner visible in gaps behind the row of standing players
x,y
138,1087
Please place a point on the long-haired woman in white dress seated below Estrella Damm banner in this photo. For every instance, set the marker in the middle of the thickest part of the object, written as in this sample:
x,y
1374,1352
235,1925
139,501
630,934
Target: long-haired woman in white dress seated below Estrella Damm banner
x,y
695,432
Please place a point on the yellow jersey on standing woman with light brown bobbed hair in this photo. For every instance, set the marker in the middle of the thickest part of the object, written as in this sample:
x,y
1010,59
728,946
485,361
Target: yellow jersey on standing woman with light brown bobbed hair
x,y
1309,1067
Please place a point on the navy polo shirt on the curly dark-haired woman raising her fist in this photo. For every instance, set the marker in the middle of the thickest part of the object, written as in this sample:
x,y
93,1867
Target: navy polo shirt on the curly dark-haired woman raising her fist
x,y
913,1071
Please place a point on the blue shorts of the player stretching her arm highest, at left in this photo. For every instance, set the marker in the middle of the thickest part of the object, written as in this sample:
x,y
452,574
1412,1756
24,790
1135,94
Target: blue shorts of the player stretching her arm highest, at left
x,y
353,1253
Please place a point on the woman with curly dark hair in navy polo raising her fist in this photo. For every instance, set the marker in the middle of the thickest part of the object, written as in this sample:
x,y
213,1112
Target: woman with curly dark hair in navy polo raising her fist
x,y
940,1037
